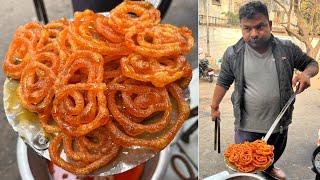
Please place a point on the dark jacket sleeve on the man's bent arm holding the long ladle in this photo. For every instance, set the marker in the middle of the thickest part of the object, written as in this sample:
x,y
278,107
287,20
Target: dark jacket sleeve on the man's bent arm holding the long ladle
x,y
300,59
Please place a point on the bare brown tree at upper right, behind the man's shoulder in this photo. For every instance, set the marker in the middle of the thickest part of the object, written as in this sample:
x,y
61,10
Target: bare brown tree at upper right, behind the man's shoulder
x,y
307,27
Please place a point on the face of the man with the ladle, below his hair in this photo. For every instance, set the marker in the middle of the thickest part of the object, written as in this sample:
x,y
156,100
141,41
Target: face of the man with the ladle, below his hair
x,y
256,31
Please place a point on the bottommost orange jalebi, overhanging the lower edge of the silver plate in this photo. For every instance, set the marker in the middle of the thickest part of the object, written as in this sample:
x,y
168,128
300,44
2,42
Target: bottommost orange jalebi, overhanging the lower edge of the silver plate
x,y
92,151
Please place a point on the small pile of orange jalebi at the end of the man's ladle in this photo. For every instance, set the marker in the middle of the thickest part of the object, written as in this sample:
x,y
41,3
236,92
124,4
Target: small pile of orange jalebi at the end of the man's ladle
x,y
250,156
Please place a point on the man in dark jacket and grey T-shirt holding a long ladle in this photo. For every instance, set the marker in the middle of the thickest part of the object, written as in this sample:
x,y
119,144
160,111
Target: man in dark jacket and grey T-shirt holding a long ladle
x,y
261,66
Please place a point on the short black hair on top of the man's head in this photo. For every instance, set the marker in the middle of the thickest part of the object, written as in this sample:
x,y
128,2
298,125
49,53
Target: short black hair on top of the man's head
x,y
252,8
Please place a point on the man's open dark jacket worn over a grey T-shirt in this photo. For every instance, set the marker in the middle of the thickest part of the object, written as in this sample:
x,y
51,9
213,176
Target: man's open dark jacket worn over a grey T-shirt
x,y
288,57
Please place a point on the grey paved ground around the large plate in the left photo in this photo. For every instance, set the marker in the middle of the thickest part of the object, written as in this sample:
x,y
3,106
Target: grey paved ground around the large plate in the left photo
x,y
14,13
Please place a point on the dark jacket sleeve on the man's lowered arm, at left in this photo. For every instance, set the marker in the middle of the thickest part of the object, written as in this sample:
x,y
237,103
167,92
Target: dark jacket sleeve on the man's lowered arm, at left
x,y
226,76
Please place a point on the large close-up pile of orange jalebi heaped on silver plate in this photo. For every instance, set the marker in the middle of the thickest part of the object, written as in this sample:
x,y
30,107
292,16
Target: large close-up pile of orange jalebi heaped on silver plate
x,y
101,83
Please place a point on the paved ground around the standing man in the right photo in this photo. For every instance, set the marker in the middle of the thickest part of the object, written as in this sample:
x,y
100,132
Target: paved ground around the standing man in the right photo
x,y
296,161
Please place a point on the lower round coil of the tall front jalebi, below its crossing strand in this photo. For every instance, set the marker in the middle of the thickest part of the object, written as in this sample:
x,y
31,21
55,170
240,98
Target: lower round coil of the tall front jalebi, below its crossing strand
x,y
80,108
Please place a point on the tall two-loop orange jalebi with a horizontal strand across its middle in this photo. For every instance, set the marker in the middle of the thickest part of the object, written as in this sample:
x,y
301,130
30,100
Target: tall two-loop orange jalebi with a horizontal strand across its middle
x,y
80,105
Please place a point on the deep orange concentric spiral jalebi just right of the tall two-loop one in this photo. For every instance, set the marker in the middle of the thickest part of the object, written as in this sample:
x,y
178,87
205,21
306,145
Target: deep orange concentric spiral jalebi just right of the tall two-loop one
x,y
139,101
